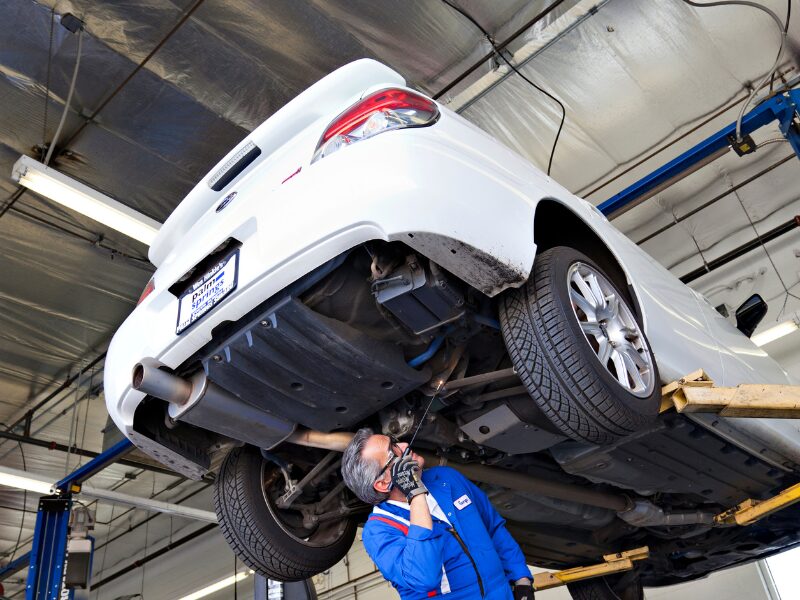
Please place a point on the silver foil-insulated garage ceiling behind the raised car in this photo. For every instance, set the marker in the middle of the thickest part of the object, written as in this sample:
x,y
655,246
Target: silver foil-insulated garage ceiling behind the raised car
x,y
165,89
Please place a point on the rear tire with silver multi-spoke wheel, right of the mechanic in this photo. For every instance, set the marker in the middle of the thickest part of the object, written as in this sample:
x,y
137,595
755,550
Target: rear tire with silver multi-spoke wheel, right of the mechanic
x,y
558,350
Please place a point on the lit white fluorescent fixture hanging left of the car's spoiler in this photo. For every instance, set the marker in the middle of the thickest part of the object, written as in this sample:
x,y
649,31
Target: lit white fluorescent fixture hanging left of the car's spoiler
x,y
81,198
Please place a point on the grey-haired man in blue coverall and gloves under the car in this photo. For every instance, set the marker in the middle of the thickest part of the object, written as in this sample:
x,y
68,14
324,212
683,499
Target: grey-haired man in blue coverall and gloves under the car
x,y
431,533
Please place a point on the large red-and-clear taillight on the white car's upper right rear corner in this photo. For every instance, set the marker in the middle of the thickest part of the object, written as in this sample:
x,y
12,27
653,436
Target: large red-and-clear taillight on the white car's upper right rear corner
x,y
382,111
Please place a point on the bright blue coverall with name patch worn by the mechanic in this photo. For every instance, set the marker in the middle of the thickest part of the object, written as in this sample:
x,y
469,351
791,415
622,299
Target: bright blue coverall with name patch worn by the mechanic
x,y
424,563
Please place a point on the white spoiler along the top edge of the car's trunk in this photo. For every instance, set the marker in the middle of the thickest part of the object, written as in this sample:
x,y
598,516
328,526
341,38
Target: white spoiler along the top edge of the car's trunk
x,y
328,94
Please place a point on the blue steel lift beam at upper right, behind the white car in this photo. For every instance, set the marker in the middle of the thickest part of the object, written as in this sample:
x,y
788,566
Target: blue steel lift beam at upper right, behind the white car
x,y
781,107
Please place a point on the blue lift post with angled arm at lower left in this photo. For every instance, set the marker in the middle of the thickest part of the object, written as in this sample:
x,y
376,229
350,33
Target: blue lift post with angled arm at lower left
x,y
48,556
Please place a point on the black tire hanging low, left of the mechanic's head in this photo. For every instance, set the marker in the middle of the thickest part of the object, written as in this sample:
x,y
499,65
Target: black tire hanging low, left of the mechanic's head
x,y
277,548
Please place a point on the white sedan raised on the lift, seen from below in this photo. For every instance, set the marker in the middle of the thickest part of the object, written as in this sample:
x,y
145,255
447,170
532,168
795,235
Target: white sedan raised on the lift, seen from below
x,y
366,253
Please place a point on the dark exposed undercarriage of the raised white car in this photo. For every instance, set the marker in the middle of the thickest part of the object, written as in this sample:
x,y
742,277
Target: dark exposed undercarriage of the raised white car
x,y
383,337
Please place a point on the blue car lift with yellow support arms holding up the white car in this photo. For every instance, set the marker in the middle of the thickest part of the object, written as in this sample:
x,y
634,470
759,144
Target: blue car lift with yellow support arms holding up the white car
x,y
693,393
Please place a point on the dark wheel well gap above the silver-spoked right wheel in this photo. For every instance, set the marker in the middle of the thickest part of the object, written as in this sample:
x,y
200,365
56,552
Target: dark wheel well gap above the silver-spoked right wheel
x,y
572,231
